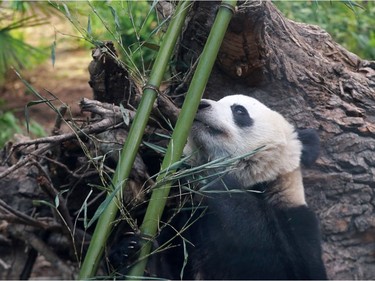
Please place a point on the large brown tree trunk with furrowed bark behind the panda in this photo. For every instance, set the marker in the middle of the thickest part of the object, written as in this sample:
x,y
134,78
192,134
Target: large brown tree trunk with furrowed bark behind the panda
x,y
298,70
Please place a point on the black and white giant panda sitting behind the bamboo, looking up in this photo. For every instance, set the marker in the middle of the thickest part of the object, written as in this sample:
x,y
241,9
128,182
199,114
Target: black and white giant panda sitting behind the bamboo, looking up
x,y
252,221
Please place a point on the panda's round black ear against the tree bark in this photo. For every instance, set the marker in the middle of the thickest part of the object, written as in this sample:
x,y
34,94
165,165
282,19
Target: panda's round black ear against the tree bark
x,y
311,146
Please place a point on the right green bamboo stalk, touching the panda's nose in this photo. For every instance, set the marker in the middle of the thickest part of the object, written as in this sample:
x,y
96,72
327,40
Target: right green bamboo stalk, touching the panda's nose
x,y
175,148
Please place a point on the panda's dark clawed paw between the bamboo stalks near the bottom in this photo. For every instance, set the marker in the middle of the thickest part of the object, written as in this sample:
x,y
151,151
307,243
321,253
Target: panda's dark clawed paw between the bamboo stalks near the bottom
x,y
125,253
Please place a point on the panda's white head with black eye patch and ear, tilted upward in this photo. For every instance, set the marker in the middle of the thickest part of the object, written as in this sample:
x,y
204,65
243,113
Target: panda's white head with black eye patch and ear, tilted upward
x,y
237,125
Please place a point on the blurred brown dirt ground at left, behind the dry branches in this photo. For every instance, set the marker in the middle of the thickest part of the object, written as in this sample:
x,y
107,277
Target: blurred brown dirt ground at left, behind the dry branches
x,y
67,80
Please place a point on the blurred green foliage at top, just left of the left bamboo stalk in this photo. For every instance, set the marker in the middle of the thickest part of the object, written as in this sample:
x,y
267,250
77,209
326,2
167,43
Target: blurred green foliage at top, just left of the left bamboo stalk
x,y
132,25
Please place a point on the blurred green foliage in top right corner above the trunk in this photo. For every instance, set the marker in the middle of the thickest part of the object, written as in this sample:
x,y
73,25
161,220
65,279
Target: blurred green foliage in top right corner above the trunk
x,y
350,23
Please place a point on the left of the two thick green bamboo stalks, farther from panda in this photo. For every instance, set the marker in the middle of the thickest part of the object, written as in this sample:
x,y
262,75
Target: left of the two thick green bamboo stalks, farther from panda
x,y
130,149
